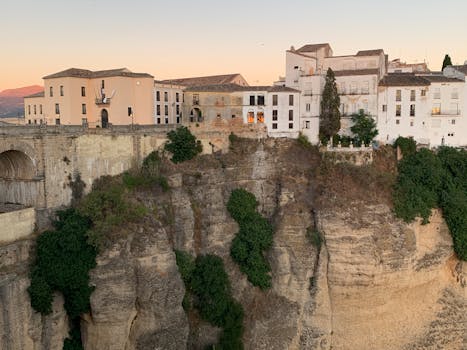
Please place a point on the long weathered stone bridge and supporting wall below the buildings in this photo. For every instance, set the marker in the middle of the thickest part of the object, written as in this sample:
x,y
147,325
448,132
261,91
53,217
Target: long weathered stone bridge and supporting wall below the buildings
x,y
38,163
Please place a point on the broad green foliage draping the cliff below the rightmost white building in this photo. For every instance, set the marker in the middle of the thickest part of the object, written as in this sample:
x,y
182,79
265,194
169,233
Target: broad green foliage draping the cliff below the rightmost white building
x,y
427,180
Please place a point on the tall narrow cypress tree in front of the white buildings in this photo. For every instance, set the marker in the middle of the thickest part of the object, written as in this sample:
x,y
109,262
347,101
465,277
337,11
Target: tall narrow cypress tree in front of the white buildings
x,y
330,118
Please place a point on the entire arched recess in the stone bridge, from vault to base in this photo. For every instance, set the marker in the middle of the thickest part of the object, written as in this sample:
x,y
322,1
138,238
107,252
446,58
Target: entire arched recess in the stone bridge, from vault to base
x,y
19,186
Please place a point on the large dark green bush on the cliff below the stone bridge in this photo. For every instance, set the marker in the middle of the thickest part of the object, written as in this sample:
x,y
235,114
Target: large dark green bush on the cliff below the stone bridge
x,y
63,261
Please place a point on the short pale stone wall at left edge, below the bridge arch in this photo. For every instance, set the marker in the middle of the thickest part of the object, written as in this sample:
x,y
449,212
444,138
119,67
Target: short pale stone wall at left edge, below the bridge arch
x,y
16,224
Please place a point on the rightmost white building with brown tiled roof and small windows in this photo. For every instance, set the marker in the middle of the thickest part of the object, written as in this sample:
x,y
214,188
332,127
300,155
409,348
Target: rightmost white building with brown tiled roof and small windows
x,y
426,107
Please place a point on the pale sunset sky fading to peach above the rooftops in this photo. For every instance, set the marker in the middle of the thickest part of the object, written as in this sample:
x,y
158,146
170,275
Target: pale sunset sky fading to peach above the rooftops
x,y
175,39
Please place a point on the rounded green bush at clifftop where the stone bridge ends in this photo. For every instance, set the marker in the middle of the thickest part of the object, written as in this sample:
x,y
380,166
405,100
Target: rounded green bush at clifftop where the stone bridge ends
x,y
182,144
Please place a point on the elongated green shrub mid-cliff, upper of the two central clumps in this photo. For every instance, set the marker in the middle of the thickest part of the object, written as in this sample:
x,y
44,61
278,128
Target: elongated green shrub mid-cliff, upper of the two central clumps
x,y
254,237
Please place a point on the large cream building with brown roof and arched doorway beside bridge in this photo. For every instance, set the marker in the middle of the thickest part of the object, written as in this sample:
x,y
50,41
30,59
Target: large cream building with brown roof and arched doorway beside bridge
x,y
97,99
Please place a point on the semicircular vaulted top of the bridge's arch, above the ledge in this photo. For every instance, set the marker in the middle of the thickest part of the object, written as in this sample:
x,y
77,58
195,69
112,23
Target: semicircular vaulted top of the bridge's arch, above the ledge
x,y
15,165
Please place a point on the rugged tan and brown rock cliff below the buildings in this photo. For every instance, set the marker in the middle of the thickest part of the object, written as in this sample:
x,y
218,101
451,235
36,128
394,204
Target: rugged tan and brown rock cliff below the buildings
x,y
374,283
